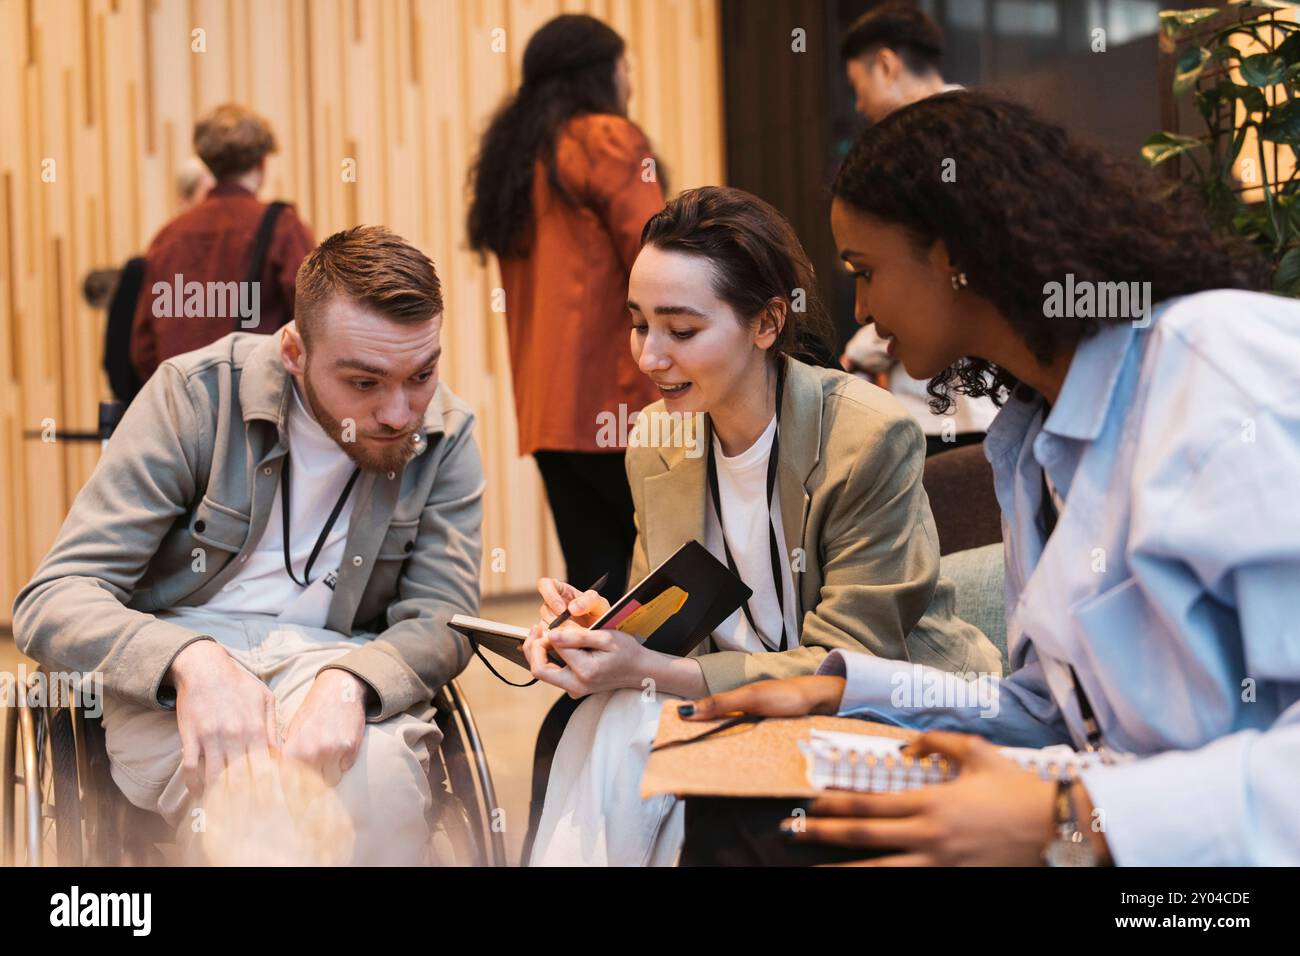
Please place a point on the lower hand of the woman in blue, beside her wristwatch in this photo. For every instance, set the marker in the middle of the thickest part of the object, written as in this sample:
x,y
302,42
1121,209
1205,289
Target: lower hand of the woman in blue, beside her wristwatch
x,y
994,815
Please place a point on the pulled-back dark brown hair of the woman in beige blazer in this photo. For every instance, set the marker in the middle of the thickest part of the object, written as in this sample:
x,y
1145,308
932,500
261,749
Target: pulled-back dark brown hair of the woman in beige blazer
x,y
756,258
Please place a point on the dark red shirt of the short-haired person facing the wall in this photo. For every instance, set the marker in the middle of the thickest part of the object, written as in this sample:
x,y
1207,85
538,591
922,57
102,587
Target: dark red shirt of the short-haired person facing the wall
x,y
214,244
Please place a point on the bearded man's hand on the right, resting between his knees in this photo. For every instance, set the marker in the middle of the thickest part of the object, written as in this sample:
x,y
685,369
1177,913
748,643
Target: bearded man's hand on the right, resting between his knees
x,y
327,732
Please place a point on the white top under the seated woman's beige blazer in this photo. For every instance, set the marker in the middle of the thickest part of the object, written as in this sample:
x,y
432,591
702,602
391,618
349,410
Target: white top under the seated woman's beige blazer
x,y
743,488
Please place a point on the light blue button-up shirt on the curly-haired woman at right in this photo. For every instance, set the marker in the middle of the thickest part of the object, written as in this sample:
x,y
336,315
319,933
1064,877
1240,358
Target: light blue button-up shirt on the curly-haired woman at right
x,y
1172,583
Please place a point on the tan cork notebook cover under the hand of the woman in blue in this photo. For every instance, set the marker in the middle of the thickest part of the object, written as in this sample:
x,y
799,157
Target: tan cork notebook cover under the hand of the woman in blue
x,y
751,760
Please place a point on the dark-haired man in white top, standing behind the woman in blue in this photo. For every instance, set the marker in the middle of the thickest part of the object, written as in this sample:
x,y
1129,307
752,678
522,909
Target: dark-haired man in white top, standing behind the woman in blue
x,y
892,57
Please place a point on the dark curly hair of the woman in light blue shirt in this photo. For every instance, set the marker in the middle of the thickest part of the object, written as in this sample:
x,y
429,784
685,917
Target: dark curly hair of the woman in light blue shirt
x,y
1029,207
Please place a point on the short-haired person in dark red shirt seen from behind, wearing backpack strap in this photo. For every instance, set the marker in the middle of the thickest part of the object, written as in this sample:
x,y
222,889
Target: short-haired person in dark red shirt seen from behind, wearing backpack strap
x,y
201,276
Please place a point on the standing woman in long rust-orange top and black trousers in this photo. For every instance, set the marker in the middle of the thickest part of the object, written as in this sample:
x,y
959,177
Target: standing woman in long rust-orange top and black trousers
x,y
562,188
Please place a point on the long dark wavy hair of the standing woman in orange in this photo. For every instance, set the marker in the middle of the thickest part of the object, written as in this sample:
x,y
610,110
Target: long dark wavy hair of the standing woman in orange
x,y
569,72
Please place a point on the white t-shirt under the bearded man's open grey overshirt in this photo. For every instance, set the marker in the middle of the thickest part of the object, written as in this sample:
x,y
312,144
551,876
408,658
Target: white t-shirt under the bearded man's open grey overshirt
x,y
319,471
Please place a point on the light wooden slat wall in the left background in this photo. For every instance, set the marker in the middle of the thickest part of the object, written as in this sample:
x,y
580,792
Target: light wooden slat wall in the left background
x,y
109,90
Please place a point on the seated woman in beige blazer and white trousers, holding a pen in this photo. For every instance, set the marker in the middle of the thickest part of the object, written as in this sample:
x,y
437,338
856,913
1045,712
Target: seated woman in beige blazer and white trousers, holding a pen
x,y
800,461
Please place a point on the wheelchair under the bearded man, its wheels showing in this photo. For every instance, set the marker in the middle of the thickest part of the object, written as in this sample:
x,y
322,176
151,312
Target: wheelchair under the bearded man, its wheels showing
x,y
59,804
